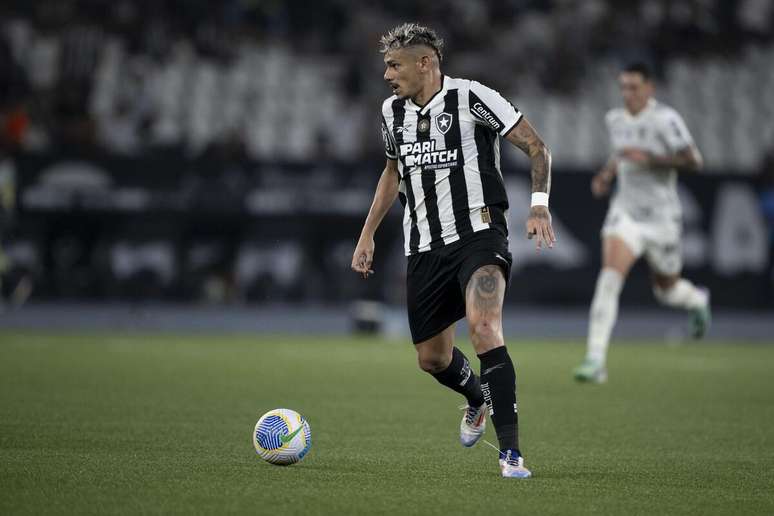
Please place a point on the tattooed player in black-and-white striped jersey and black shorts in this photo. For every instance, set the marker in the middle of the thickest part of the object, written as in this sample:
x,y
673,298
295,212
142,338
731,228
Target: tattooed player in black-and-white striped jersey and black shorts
x,y
442,142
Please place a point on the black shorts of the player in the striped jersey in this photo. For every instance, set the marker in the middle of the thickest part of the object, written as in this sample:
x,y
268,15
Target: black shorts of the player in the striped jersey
x,y
436,280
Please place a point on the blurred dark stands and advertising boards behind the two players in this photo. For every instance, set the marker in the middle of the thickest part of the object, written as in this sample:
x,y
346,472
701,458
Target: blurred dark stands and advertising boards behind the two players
x,y
183,151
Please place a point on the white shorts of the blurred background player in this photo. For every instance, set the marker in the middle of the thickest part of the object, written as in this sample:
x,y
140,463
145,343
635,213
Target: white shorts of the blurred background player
x,y
658,240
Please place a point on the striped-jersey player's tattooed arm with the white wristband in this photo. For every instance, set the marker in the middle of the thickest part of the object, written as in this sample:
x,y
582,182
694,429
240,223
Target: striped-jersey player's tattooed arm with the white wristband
x,y
526,138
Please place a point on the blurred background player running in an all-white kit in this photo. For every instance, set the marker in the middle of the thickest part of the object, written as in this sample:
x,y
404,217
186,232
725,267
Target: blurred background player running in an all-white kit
x,y
650,144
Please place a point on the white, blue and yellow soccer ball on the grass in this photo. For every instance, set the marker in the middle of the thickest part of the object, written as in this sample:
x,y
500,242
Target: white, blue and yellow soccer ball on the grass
x,y
282,437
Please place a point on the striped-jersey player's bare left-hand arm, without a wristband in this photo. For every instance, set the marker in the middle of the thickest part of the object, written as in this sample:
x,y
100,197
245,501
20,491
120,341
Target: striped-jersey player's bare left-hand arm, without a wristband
x,y
386,193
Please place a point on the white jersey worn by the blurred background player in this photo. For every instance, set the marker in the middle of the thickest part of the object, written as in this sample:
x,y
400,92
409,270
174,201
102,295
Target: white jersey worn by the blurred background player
x,y
645,193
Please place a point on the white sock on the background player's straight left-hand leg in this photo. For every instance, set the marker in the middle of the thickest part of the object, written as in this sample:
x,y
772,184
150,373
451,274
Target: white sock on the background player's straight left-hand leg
x,y
603,314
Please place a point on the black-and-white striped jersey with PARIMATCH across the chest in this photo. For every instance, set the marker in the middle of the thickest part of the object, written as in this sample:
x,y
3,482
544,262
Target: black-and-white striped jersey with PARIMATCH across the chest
x,y
448,154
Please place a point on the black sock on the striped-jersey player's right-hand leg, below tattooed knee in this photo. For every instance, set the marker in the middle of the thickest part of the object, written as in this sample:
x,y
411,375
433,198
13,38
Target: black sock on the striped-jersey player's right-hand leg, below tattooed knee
x,y
498,383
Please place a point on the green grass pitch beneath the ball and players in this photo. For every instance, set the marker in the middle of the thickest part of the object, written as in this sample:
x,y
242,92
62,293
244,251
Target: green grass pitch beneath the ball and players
x,y
136,423
